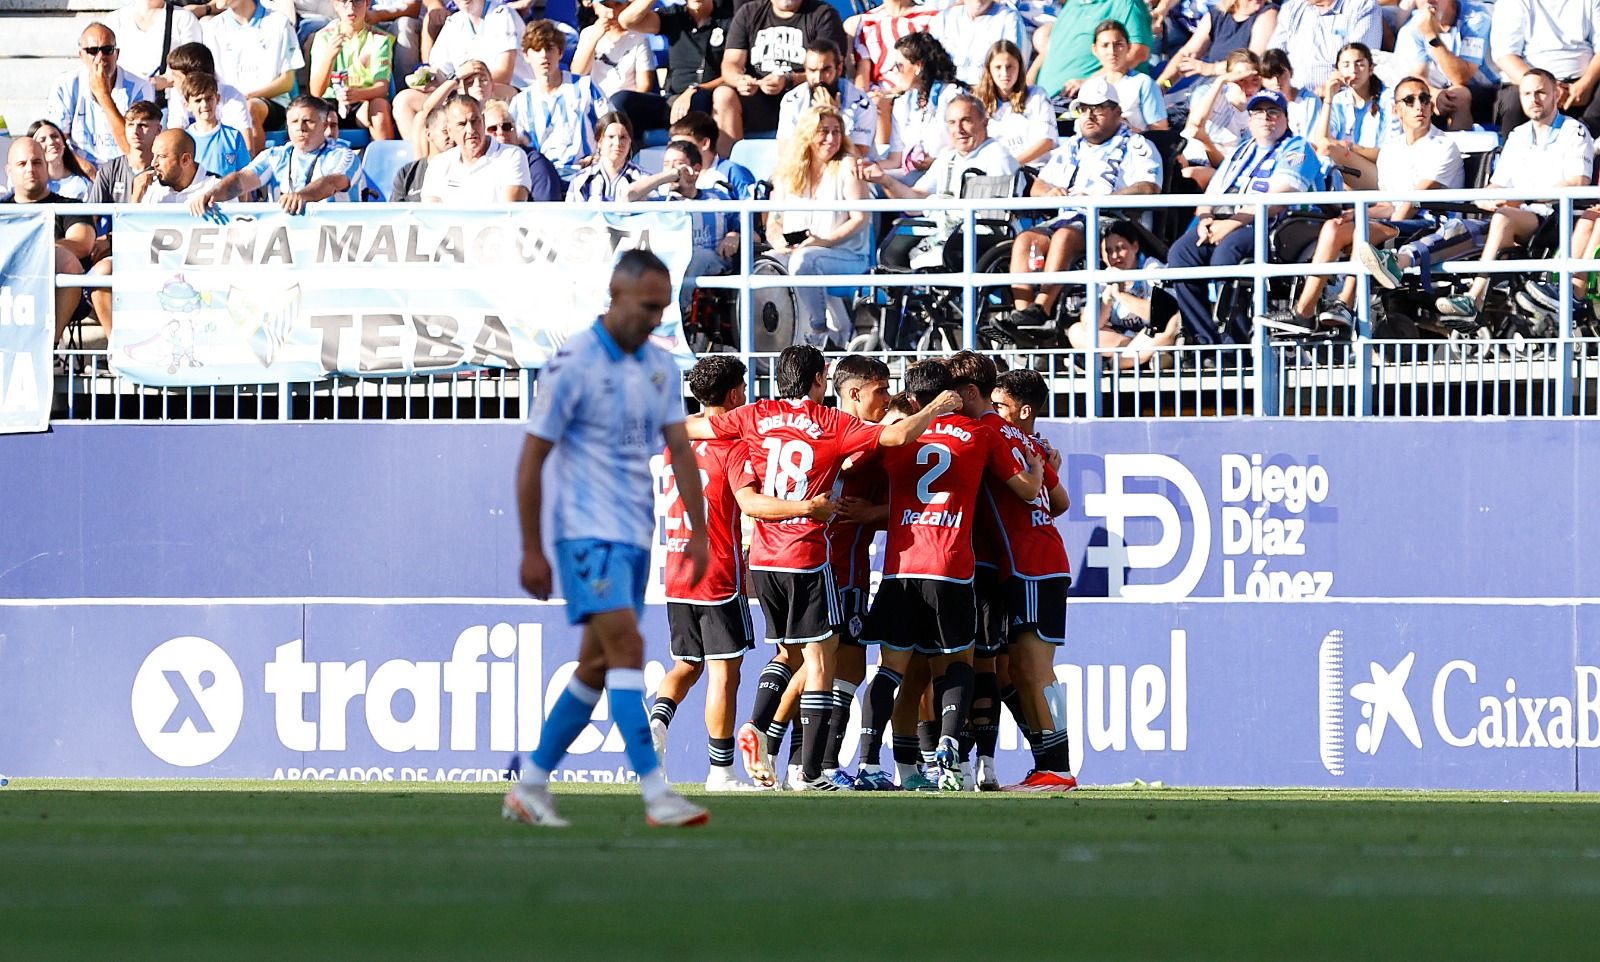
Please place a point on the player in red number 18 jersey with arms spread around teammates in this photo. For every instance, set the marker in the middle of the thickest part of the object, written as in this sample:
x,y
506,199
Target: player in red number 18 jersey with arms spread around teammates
x,y
798,447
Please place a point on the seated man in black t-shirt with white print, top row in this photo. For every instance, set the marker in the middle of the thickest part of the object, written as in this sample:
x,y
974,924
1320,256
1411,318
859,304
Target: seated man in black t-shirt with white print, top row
x,y
766,57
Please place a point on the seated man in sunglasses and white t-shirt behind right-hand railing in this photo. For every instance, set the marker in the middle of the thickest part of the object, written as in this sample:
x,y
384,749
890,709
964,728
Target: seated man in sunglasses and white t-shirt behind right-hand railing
x,y
1420,159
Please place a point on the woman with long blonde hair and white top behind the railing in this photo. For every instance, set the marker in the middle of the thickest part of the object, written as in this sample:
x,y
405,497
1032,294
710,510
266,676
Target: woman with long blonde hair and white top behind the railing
x,y
818,164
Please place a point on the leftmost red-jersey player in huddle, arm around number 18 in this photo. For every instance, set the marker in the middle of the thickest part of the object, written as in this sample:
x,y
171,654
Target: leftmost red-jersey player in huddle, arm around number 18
x,y
710,617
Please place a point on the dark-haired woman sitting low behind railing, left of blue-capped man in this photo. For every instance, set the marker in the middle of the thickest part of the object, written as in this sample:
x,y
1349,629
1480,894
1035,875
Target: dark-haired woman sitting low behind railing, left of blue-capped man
x,y
1135,318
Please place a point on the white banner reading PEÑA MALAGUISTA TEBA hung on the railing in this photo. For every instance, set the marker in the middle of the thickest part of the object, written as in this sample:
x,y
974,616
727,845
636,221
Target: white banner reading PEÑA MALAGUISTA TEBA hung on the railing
x,y
268,297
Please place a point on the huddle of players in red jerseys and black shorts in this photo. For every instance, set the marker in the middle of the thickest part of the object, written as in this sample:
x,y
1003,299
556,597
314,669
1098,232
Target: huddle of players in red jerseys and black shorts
x,y
975,574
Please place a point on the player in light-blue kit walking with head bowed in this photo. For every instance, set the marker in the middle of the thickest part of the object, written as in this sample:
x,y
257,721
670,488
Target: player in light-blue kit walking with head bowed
x,y
604,406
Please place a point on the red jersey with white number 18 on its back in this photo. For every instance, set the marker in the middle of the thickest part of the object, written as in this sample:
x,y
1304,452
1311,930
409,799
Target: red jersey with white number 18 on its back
x,y
796,451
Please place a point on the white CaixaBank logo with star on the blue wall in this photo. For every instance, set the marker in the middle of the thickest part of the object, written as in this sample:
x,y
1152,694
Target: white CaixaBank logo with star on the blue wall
x,y
1385,695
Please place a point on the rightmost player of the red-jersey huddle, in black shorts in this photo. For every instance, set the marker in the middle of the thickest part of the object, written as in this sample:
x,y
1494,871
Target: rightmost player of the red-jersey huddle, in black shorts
x,y
1039,574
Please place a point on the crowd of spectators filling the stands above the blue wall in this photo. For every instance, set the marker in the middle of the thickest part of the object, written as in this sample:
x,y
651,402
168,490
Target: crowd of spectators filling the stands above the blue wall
x,y
502,102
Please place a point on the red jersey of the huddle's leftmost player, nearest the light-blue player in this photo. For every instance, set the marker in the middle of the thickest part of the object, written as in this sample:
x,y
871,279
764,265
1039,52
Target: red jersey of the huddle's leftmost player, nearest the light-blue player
x,y
724,470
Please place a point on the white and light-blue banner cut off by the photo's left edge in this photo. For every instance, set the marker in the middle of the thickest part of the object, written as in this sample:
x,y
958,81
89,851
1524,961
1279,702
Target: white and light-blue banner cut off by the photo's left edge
x,y
28,311
